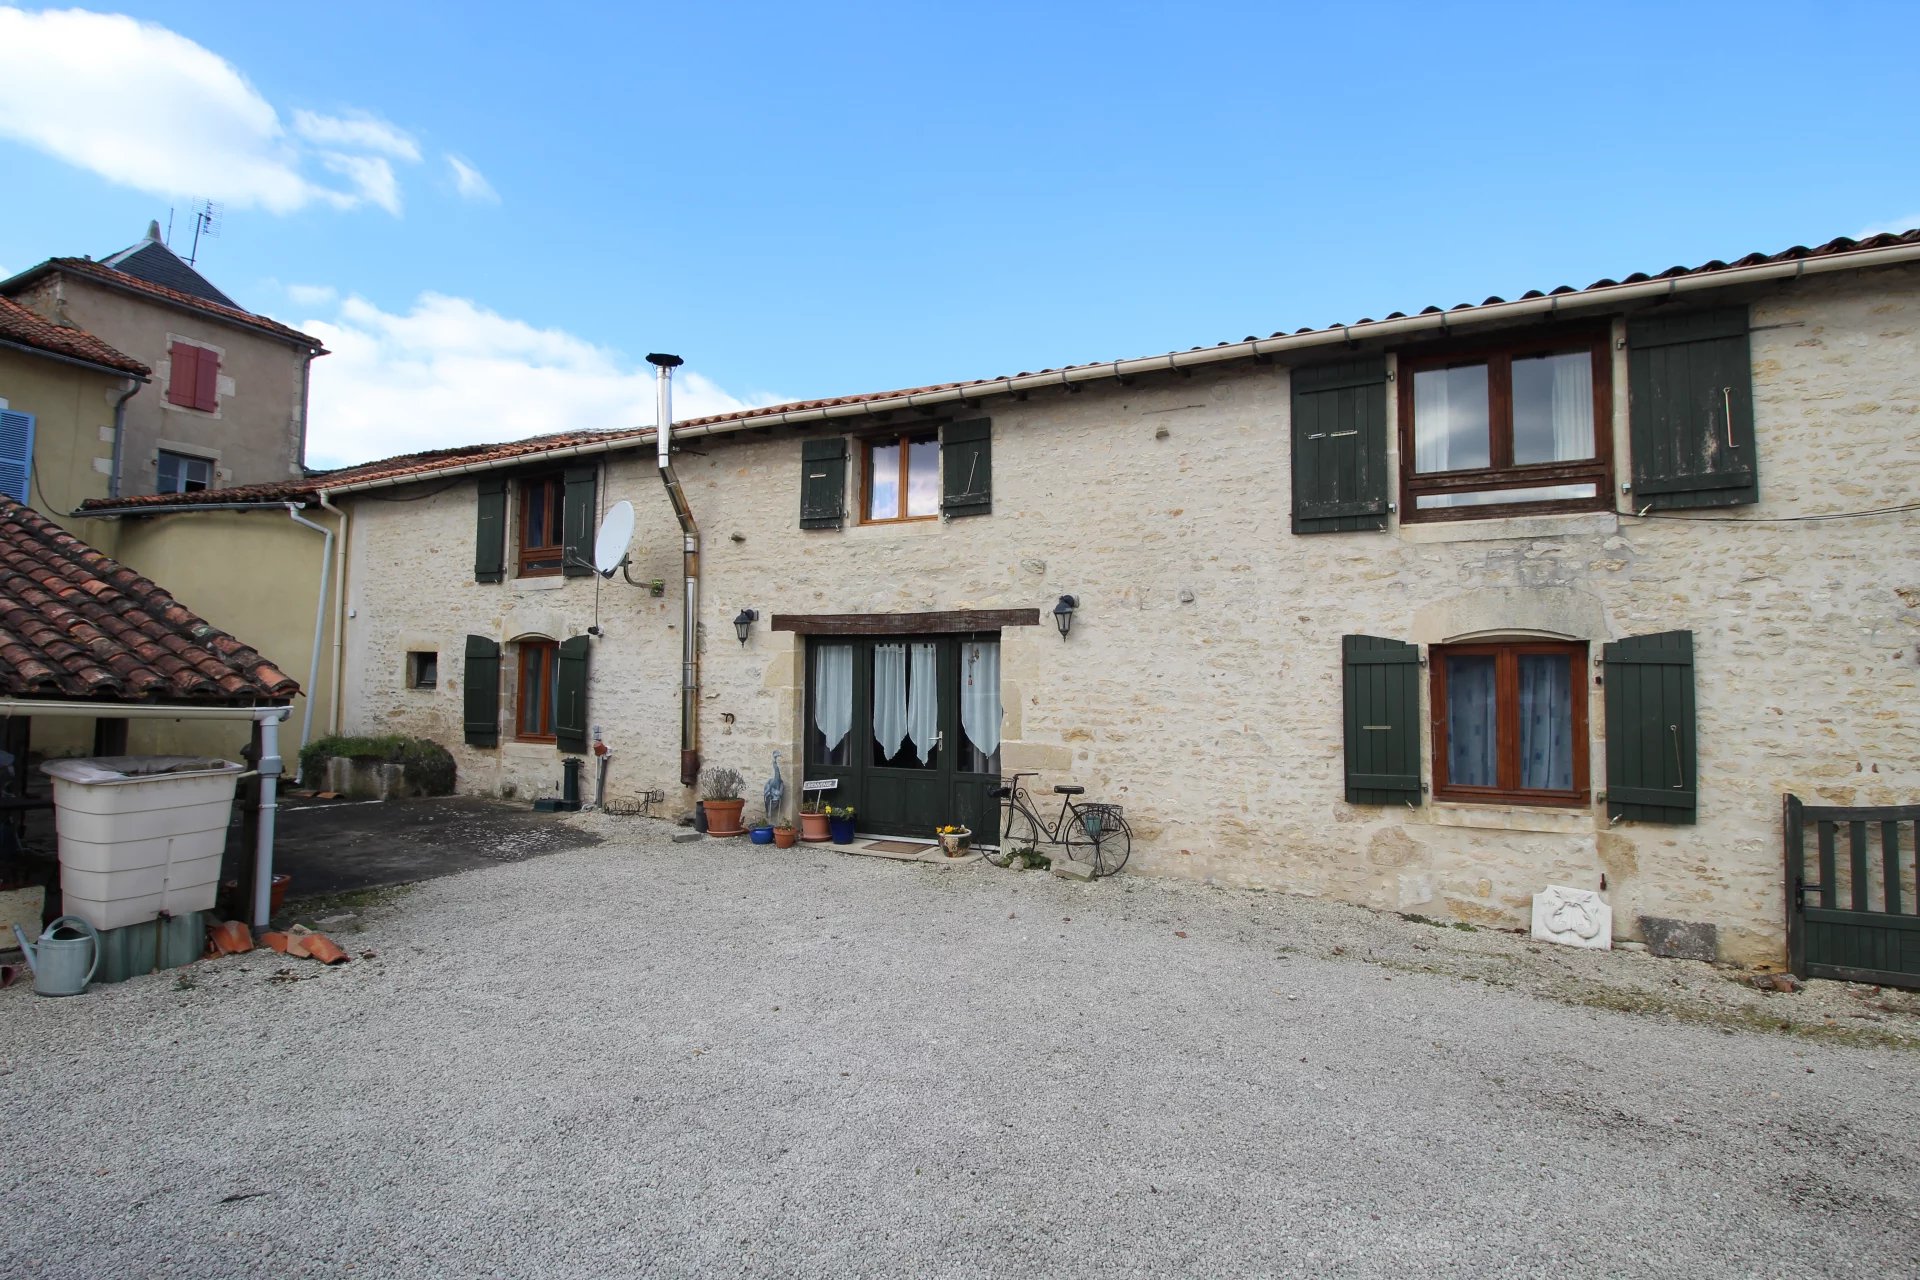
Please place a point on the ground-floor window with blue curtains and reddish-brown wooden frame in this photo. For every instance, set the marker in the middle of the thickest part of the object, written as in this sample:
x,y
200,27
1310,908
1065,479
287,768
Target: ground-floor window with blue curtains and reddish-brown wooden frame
x,y
1510,723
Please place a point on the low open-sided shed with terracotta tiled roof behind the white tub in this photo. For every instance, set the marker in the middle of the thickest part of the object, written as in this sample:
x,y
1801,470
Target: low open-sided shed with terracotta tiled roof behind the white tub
x,y
80,628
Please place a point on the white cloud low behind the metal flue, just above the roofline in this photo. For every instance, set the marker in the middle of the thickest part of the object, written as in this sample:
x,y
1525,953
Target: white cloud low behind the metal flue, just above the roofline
x,y
452,373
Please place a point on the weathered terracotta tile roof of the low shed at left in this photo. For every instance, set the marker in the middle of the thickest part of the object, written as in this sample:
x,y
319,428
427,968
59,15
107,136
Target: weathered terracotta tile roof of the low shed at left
x,y
76,625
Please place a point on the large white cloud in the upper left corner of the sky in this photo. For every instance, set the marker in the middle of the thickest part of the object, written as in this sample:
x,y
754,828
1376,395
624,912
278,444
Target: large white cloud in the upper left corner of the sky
x,y
149,108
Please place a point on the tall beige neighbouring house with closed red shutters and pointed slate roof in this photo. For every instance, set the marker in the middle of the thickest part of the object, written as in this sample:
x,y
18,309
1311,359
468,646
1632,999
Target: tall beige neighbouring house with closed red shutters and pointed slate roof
x,y
229,402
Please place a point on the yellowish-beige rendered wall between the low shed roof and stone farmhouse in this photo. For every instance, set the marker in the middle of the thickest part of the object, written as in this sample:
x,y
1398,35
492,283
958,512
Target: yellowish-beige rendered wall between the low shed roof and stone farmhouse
x,y
254,575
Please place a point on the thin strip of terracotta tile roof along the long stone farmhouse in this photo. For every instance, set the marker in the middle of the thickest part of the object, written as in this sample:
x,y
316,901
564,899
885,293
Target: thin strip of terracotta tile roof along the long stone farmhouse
x,y
425,465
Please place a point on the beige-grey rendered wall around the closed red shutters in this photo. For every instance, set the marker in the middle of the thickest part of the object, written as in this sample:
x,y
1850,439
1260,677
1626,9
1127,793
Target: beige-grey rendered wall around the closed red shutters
x,y
254,437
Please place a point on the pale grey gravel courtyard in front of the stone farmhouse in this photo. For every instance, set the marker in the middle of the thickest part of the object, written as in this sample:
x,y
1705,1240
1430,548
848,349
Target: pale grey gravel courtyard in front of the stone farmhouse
x,y
654,1058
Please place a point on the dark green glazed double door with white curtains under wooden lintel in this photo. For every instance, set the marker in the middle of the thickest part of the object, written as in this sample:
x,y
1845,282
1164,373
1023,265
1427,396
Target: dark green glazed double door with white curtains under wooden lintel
x,y
909,726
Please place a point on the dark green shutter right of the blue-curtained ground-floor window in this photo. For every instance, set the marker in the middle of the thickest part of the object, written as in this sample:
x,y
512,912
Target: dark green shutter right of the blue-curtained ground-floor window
x,y
1650,728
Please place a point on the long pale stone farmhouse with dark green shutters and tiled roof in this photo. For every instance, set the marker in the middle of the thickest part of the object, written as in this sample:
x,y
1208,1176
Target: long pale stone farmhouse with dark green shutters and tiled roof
x,y
1422,613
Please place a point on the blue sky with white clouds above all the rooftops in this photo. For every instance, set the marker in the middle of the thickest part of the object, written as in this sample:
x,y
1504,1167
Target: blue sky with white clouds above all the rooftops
x,y
815,201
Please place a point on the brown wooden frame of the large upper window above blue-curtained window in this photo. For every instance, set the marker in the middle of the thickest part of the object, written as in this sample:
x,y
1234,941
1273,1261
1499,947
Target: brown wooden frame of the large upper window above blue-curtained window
x,y
1504,473
